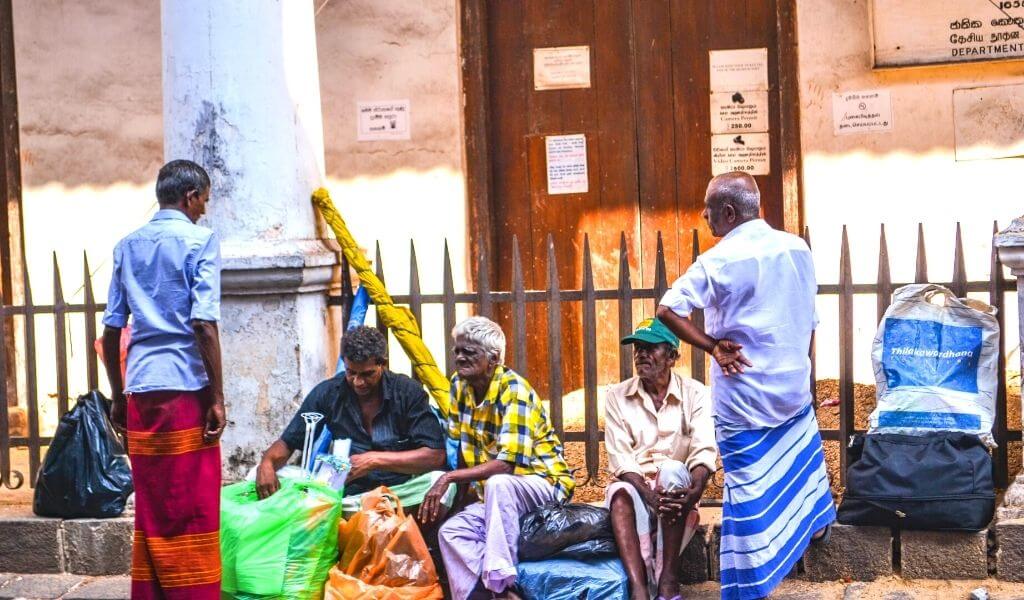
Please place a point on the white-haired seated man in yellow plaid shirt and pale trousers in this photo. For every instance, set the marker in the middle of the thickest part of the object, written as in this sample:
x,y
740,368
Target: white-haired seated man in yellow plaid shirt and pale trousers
x,y
507,450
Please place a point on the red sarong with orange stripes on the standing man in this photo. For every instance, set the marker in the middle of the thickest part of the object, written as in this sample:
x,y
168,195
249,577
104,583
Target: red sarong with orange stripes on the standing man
x,y
177,552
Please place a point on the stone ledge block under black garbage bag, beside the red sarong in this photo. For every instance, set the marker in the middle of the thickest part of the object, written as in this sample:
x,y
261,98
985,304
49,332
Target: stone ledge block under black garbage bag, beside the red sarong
x,y
99,547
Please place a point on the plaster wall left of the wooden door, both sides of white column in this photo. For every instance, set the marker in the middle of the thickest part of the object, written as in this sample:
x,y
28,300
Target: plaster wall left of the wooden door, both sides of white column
x,y
92,134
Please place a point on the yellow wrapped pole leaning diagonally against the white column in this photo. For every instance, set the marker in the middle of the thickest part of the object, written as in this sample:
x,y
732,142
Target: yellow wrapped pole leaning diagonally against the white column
x,y
399,319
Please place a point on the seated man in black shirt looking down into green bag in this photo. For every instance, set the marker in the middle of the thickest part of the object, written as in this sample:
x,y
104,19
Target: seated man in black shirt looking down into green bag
x,y
397,441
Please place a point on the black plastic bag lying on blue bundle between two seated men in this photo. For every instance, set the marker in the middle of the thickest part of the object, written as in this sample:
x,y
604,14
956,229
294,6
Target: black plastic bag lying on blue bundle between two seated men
x,y
566,531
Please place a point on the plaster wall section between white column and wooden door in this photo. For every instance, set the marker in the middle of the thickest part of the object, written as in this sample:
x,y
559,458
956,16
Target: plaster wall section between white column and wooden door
x,y
395,192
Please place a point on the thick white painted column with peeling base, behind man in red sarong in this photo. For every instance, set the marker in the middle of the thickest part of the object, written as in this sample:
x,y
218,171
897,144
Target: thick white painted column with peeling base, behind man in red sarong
x,y
242,99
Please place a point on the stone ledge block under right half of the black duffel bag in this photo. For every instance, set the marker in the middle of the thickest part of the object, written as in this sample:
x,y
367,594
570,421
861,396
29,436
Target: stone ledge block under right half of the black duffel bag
x,y
945,555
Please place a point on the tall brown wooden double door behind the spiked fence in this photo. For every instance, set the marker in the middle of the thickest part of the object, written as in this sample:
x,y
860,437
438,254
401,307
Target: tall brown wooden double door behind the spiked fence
x,y
647,120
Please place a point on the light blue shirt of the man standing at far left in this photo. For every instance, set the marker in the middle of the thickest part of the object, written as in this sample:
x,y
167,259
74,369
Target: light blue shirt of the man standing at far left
x,y
166,275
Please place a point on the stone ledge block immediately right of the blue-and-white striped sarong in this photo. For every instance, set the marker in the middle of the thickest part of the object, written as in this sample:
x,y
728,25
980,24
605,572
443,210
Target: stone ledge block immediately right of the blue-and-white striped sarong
x,y
861,554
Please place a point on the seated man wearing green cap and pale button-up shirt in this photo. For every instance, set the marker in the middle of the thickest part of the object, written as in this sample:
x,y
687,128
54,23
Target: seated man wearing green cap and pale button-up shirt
x,y
661,442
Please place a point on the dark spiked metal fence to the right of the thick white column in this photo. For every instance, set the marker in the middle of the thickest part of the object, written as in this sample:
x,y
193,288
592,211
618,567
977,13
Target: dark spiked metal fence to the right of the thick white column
x,y
518,298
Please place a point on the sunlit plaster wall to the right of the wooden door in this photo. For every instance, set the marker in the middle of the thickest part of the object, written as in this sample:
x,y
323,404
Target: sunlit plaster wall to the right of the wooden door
x,y
900,178
